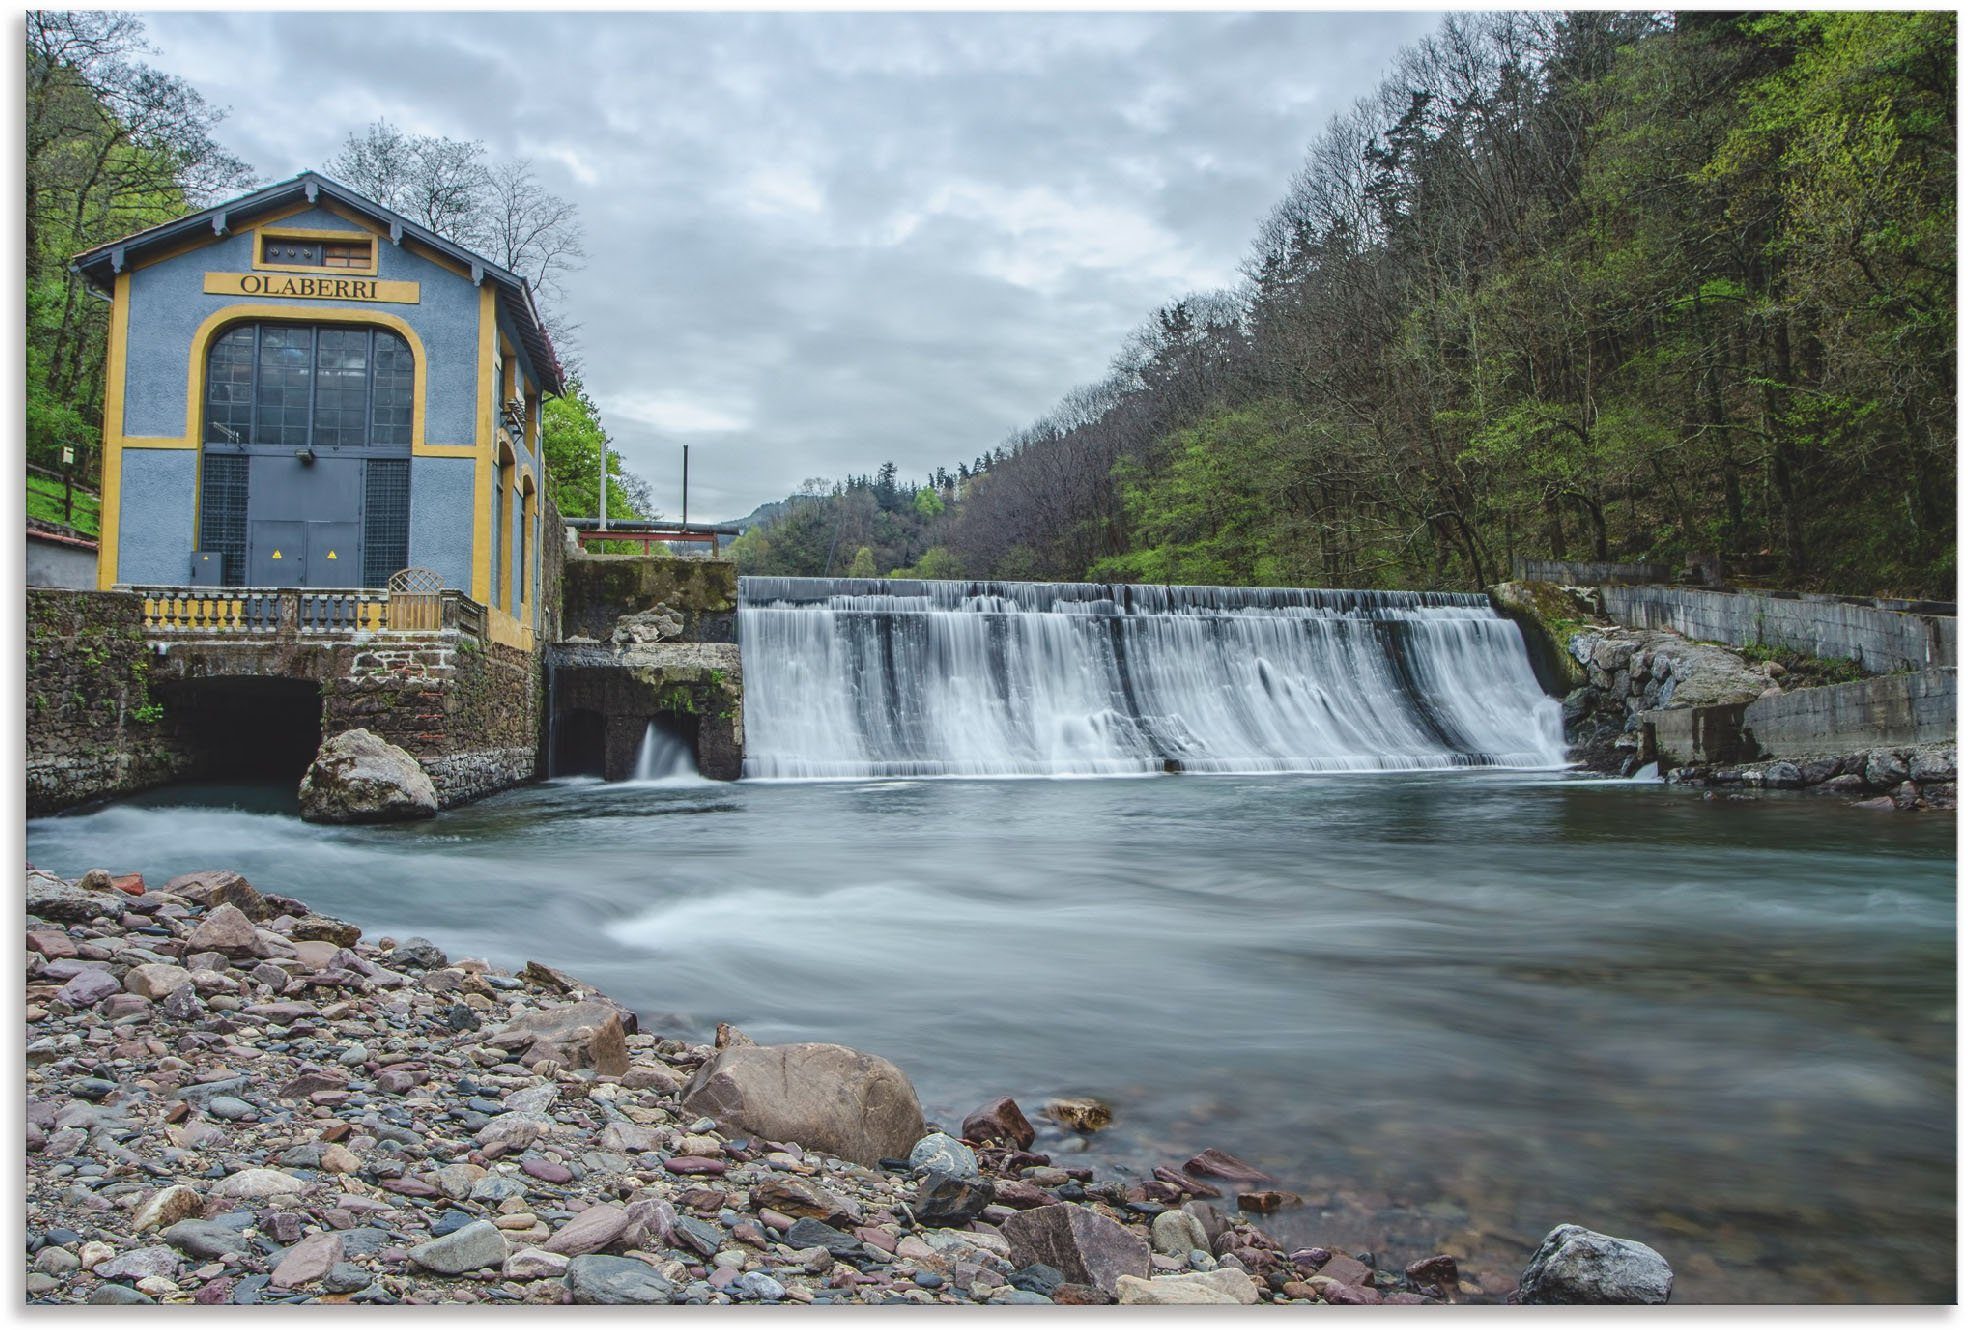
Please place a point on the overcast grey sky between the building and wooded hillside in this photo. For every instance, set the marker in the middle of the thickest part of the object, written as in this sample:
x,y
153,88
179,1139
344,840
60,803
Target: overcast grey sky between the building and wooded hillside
x,y
826,241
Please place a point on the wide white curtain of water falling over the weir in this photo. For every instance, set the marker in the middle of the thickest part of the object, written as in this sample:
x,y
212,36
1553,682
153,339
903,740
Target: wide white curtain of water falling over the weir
x,y
902,678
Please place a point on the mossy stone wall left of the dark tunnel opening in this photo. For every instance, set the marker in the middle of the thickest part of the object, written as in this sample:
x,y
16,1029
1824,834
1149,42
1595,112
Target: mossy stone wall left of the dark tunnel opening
x,y
88,733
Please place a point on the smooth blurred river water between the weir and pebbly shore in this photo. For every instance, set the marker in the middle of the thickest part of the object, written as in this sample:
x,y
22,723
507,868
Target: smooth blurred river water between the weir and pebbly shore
x,y
1451,1010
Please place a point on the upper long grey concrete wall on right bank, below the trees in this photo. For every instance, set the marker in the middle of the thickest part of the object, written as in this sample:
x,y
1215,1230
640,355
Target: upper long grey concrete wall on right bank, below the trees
x,y
1880,640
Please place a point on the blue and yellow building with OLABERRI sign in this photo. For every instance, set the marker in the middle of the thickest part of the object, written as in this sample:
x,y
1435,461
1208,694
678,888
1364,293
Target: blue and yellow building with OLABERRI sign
x,y
308,391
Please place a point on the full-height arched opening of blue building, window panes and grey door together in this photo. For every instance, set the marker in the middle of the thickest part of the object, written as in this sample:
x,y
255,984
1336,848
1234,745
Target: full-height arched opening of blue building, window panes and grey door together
x,y
334,393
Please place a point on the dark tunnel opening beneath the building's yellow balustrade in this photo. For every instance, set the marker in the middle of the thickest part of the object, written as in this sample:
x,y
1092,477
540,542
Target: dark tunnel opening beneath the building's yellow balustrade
x,y
253,731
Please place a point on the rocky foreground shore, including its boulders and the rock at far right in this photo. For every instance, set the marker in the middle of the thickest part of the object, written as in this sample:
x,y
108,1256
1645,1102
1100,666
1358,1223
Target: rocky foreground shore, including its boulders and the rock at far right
x,y
237,1101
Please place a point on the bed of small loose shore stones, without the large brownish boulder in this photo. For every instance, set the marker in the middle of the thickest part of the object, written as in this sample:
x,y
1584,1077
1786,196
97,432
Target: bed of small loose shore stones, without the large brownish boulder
x,y
361,1140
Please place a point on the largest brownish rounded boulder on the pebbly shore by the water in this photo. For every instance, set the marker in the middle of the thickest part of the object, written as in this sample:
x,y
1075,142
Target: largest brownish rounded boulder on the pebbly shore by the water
x,y
820,1095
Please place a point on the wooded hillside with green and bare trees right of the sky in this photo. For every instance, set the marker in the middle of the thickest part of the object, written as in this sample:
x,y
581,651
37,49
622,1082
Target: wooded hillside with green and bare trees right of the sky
x,y
1593,286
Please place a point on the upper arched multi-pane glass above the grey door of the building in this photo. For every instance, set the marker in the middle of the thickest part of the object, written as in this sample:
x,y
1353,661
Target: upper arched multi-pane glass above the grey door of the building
x,y
304,387
